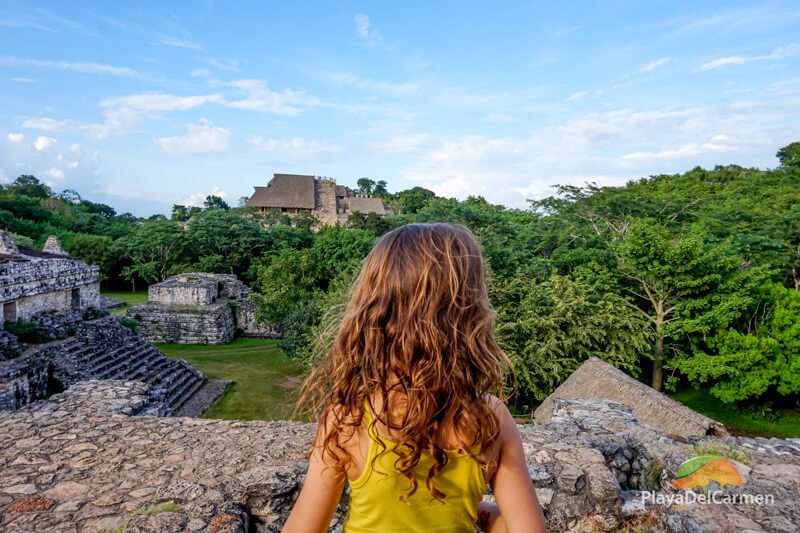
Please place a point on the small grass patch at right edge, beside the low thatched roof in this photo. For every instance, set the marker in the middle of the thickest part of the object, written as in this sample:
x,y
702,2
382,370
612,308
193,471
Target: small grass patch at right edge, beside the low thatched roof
x,y
788,425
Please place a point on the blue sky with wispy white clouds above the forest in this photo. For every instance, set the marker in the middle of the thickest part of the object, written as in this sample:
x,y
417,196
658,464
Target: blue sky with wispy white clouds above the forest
x,y
146,104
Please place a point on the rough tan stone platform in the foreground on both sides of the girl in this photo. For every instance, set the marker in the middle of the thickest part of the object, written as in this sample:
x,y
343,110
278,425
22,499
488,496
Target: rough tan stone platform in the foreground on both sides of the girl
x,y
83,461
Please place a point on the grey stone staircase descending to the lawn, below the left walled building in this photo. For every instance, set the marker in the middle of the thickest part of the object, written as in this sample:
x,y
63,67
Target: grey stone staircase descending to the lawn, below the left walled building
x,y
99,349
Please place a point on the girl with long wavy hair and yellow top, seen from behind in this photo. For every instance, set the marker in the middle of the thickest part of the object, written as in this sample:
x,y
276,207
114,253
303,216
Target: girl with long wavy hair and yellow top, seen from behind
x,y
406,415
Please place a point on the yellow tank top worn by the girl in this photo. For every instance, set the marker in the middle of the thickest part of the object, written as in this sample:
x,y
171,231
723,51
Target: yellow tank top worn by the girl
x,y
375,504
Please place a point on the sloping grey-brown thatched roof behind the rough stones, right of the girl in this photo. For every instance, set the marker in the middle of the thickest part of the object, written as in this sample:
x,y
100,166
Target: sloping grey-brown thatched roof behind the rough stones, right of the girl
x,y
598,379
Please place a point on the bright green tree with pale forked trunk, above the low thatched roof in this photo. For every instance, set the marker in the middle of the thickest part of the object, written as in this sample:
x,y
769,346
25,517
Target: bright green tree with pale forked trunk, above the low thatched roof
x,y
685,284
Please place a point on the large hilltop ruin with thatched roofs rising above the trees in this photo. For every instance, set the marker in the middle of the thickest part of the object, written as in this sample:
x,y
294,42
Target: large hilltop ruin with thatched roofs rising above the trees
x,y
321,197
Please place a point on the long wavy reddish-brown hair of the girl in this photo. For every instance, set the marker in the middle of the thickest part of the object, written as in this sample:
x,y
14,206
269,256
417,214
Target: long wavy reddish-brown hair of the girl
x,y
418,332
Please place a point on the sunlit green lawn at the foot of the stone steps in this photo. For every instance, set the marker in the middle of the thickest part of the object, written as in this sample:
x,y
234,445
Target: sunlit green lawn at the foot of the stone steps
x,y
266,381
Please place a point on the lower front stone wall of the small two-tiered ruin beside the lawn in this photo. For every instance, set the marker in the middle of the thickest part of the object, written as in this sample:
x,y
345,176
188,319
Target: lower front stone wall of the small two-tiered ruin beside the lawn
x,y
206,324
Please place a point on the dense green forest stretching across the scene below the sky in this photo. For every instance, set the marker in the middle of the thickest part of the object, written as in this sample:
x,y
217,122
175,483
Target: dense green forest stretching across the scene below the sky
x,y
688,279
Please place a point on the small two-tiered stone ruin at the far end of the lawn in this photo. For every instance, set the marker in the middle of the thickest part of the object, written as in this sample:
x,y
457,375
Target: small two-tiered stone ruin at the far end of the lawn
x,y
200,308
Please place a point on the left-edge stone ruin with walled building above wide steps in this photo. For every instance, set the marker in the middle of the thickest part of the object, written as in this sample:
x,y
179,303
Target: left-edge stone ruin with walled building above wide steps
x,y
72,340
